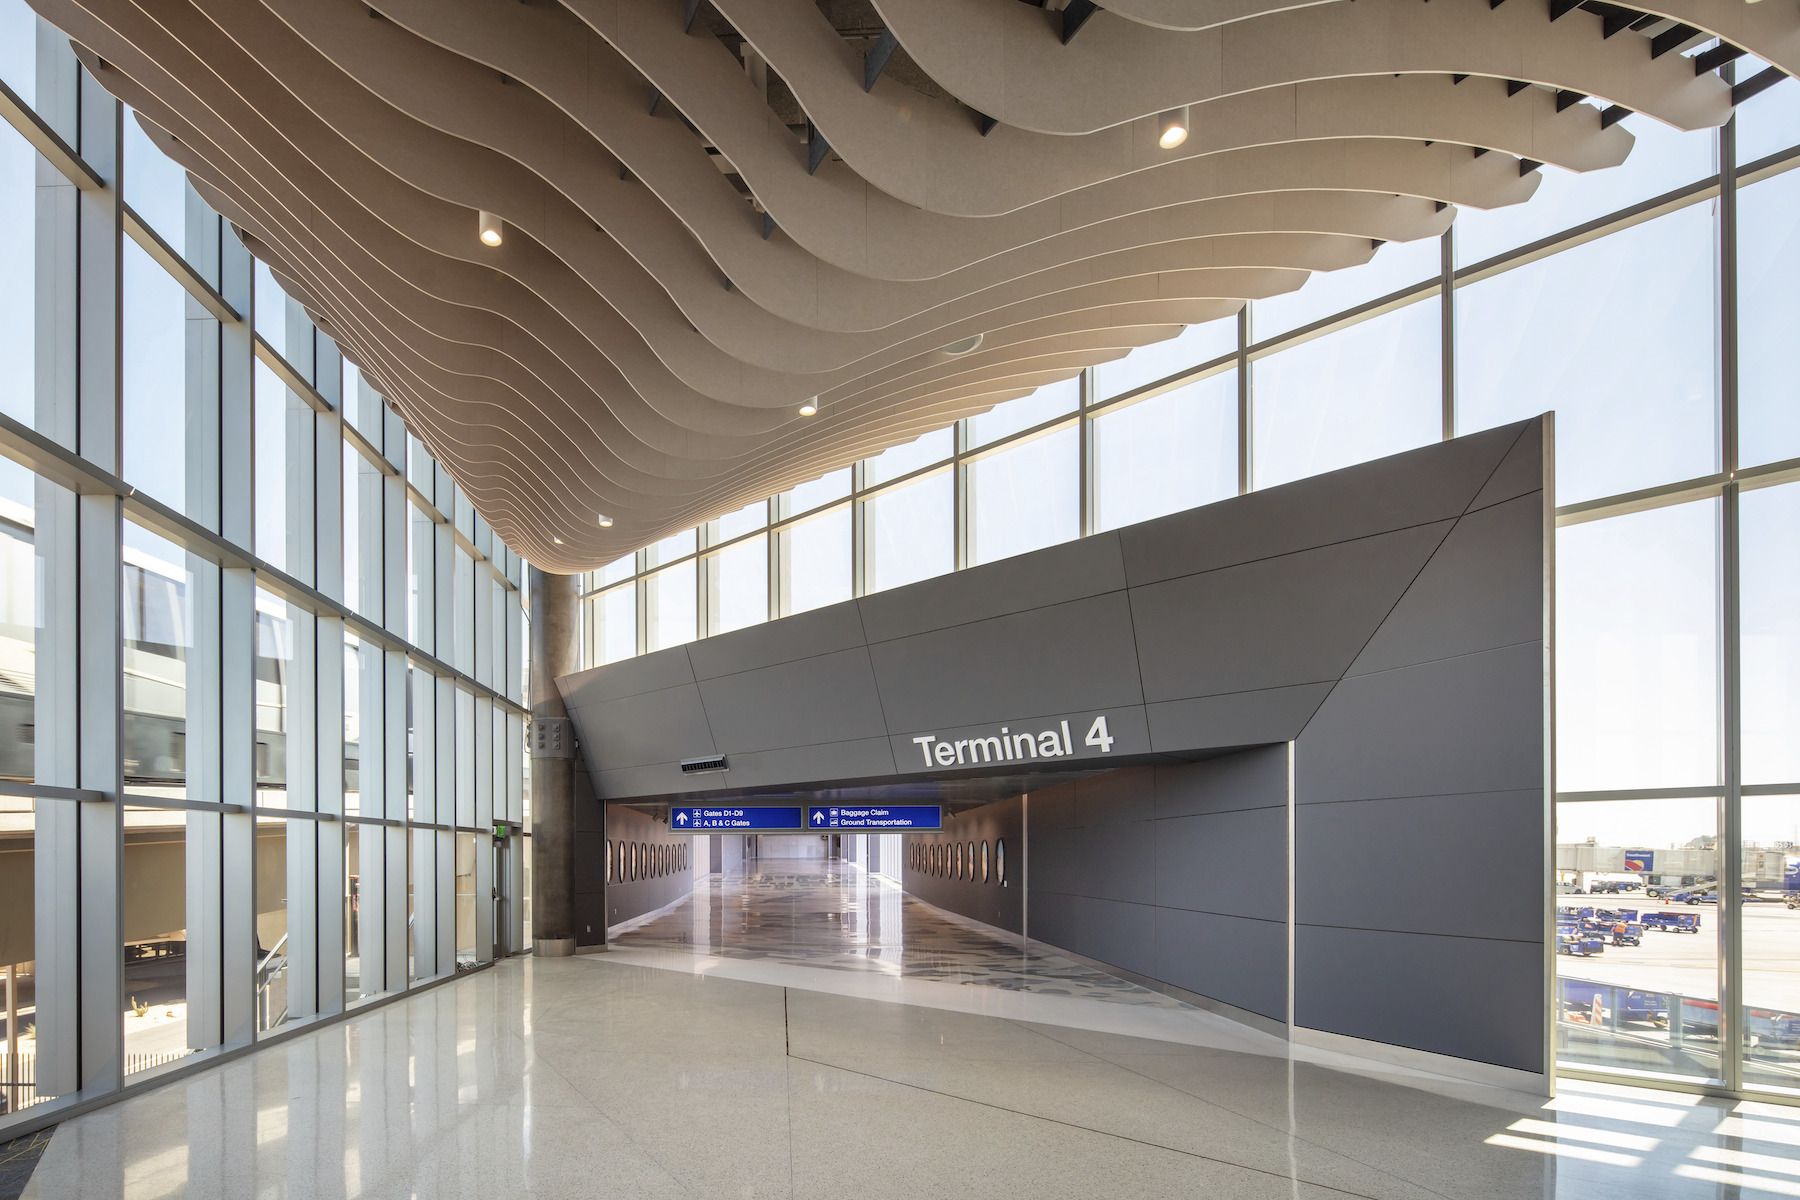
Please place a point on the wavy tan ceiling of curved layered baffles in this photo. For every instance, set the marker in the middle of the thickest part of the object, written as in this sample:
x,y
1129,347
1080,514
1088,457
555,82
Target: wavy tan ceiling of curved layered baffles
x,y
721,210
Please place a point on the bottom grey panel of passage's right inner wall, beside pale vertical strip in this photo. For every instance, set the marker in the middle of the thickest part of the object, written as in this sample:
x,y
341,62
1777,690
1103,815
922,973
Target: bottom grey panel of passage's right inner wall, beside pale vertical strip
x,y
1227,958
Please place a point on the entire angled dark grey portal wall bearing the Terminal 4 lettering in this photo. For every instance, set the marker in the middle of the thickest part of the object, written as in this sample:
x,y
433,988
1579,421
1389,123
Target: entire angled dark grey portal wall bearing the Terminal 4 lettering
x,y
1389,620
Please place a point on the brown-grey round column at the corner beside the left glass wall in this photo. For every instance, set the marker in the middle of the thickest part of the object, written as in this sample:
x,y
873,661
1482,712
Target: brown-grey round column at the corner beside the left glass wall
x,y
555,602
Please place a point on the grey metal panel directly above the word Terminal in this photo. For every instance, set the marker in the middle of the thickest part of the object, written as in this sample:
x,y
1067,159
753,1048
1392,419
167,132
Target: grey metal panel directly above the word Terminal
x,y
1061,658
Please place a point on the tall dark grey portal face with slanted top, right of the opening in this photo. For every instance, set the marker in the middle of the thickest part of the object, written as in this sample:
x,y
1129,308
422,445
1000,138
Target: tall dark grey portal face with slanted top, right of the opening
x,y
1423,800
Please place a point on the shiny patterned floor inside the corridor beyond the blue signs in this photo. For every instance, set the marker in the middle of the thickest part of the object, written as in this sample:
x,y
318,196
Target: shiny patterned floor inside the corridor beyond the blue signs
x,y
832,915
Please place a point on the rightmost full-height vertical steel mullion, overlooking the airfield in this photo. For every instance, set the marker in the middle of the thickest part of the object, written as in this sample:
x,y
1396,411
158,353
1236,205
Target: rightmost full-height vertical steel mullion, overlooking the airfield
x,y
1732,1007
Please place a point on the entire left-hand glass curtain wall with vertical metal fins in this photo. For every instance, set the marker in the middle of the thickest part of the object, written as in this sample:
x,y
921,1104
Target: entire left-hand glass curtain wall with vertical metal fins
x,y
260,708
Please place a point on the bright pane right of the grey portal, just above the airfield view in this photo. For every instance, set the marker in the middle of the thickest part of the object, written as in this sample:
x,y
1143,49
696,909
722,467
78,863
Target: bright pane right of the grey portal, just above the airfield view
x,y
1639,665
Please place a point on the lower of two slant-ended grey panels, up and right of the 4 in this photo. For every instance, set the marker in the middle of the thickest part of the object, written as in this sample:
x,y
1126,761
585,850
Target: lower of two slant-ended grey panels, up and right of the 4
x,y
1273,623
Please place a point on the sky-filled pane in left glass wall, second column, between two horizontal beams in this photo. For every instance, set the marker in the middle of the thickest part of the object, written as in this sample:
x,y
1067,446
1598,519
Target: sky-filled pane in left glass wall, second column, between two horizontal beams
x,y
156,388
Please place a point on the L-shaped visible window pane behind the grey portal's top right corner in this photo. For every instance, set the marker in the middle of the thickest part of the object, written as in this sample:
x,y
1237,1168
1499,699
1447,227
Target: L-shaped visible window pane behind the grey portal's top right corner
x,y
1615,336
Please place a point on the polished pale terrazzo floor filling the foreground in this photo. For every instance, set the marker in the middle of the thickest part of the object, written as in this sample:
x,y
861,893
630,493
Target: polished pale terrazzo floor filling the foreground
x,y
606,1077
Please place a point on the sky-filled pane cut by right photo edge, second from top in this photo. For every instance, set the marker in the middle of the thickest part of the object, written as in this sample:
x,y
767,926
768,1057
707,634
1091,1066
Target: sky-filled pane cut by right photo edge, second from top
x,y
1768,287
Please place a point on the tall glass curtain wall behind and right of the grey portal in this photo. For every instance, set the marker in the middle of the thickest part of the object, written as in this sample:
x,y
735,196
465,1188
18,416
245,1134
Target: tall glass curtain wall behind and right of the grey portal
x,y
1653,309
